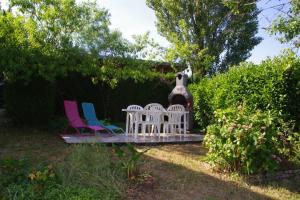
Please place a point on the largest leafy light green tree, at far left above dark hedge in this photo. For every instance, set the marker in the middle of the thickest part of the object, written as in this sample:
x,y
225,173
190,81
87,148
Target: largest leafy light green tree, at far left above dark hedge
x,y
50,37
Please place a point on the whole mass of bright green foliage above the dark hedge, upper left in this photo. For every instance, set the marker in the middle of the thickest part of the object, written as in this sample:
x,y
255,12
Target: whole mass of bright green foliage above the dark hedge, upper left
x,y
50,38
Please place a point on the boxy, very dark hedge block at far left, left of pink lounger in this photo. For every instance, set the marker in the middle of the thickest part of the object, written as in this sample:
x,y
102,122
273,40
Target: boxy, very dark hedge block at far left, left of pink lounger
x,y
30,103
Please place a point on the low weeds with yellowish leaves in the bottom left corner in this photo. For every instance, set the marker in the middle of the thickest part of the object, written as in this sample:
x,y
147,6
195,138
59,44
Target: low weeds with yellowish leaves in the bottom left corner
x,y
19,179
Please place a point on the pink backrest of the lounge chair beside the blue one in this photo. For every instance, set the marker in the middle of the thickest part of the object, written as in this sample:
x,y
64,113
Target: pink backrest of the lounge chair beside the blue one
x,y
71,110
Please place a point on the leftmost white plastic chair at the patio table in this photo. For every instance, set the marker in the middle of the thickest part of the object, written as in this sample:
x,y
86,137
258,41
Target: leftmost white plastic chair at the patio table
x,y
134,118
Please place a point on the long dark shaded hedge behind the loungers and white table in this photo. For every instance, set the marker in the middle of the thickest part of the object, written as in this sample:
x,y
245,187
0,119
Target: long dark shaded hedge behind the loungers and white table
x,y
39,101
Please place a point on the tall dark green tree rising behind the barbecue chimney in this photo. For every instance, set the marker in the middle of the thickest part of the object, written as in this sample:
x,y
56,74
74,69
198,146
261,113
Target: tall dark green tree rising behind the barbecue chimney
x,y
206,33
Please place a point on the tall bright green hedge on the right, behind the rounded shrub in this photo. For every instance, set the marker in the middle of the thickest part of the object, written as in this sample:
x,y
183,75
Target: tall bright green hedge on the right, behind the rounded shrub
x,y
272,85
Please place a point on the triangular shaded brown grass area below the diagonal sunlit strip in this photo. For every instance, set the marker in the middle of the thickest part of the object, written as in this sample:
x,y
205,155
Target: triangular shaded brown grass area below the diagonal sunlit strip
x,y
174,181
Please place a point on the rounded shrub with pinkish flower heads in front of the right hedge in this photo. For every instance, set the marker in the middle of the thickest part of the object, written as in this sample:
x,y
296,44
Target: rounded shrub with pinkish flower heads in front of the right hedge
x,y
244,142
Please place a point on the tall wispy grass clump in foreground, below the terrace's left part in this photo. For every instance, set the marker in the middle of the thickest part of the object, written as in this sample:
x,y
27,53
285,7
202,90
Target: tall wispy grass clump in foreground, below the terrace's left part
x,y
91,166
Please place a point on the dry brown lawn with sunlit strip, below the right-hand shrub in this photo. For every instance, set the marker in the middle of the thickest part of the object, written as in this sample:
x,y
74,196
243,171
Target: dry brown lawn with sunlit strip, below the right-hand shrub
x,y
179,175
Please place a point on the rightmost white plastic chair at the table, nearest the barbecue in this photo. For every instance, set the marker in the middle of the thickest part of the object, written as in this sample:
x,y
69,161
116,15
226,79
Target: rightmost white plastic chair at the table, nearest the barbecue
x,y
174,119
